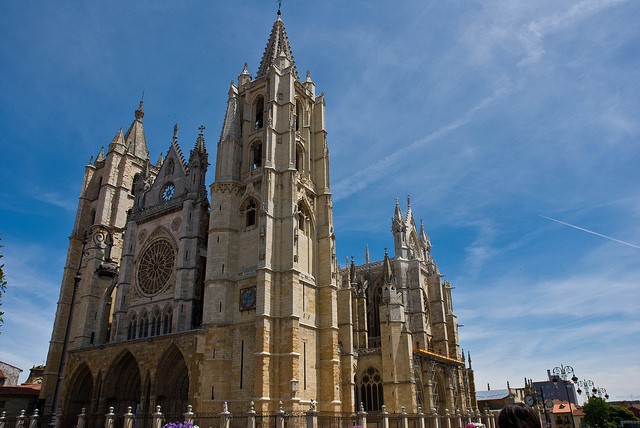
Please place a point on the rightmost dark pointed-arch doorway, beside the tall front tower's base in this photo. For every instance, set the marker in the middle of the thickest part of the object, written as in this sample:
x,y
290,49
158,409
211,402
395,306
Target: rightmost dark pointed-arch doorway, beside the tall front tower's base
x,y
172,380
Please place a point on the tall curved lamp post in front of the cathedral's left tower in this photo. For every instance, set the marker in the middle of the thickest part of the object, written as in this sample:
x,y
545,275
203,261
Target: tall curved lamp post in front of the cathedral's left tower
x,y
102,239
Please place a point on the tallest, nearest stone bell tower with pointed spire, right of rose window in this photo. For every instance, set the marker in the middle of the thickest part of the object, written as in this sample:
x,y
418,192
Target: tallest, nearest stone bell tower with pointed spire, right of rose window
x,y
270,288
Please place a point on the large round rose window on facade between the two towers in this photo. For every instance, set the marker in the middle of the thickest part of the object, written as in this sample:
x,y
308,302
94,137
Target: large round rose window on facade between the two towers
x,y
155,267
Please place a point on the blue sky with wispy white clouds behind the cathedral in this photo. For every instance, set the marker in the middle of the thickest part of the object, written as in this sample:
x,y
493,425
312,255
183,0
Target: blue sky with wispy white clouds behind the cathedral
x,y
496,117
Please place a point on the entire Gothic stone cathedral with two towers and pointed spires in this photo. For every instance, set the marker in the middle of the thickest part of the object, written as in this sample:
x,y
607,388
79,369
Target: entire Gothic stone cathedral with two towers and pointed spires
x,y
177,292
